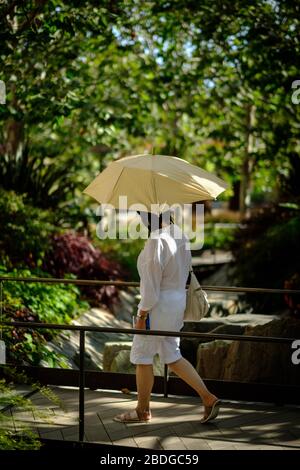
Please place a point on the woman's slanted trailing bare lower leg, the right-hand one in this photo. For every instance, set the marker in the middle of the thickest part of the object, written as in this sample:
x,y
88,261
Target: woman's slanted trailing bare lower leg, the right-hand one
x,y
188,373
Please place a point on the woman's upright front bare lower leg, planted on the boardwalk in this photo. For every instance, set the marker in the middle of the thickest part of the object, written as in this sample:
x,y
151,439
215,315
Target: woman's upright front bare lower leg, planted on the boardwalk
x,y
144,383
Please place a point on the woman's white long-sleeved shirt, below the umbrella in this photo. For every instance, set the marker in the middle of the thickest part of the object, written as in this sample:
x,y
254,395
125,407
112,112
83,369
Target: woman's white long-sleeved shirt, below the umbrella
x,y
163,264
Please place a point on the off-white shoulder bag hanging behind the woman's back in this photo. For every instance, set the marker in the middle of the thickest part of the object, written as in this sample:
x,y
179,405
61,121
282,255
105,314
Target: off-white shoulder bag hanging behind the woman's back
x,y
197,304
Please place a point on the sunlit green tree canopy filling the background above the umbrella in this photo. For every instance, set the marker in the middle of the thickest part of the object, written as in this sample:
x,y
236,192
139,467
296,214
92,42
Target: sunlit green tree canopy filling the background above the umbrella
x,y
181,77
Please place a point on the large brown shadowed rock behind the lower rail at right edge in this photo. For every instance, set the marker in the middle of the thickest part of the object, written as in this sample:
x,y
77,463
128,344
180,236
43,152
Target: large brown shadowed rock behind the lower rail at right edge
x,y
246,361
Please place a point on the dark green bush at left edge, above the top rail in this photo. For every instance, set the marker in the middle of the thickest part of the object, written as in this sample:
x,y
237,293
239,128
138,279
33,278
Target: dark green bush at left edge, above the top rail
x,y
27,229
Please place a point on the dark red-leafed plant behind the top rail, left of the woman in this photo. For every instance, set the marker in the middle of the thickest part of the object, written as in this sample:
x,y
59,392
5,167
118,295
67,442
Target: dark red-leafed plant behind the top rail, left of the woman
x,y
74,253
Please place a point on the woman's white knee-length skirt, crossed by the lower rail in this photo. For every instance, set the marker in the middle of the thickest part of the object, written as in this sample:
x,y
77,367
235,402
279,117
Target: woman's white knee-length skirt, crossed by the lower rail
x,y
166,315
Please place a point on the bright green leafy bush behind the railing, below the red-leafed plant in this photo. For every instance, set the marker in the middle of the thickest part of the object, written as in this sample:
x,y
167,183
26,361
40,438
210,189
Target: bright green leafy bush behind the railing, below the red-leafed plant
x,y
49,303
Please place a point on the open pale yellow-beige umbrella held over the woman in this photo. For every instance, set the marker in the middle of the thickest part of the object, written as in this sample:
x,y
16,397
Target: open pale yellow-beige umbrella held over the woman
x,y
154,179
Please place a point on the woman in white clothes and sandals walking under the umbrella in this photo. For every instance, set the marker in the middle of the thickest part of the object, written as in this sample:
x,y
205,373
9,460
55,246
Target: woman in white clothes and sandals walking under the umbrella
x,y
163,266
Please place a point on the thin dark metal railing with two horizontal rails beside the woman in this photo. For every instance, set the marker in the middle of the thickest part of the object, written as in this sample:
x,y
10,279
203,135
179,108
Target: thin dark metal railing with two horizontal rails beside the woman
x,y
182,334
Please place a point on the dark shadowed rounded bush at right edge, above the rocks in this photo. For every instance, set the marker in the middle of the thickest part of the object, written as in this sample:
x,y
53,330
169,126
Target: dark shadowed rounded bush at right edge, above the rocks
x,y
267,253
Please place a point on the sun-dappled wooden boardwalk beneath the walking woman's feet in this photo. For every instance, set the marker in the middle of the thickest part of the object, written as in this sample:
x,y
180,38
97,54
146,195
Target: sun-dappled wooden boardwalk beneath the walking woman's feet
x,y
175,424
